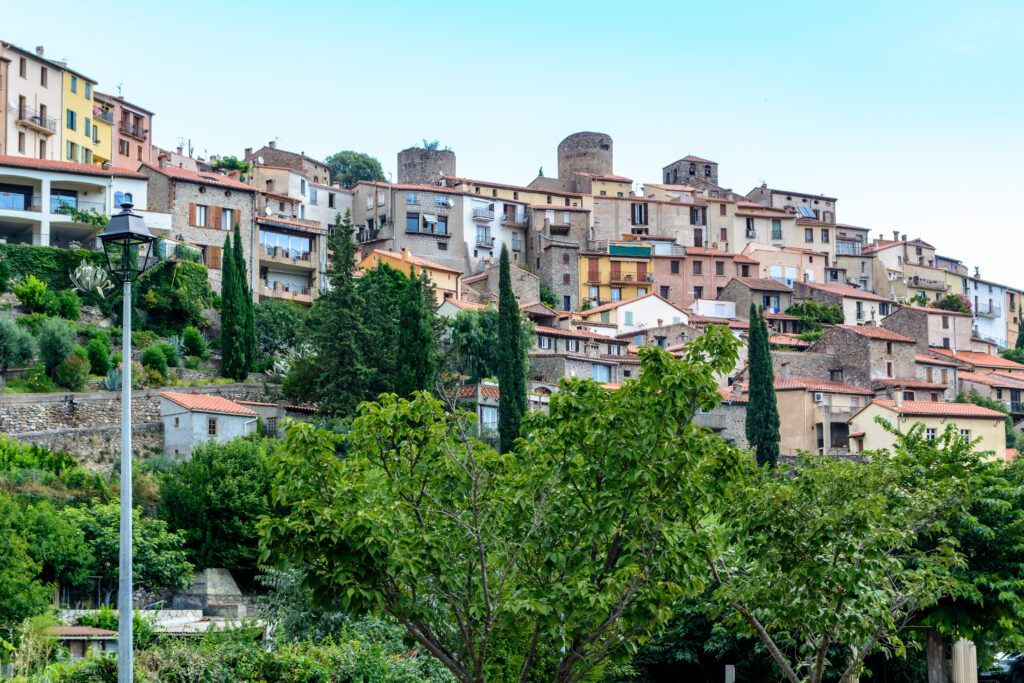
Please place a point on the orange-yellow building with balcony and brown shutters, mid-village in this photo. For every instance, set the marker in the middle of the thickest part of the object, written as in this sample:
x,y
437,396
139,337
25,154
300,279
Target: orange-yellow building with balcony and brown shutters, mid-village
x,y
624,272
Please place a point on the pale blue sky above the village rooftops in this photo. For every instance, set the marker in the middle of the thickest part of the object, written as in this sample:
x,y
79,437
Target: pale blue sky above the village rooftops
x,y
910,113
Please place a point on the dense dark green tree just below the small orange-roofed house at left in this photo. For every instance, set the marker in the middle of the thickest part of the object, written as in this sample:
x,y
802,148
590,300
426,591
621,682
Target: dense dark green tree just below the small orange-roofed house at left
x,y
215,499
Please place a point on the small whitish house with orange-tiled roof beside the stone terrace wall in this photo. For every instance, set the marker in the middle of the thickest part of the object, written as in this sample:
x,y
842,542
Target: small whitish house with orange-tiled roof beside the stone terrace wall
x,y
193,419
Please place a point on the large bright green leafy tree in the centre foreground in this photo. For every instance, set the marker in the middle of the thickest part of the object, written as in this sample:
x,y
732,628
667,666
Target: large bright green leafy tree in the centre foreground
x,y
540,567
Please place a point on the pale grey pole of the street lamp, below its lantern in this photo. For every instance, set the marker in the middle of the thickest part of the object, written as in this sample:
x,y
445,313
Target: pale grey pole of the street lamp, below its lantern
x,y
126,654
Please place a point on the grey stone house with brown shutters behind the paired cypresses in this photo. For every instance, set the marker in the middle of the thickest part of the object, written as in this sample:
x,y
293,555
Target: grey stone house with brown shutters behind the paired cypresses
x,y
205,207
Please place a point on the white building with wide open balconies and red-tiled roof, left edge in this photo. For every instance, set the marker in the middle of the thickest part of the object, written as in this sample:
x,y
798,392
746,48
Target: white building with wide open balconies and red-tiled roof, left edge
x,y
39,199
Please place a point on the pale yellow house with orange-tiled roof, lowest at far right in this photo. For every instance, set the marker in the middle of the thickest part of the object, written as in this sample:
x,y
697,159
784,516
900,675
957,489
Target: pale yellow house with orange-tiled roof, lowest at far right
x,y
973,421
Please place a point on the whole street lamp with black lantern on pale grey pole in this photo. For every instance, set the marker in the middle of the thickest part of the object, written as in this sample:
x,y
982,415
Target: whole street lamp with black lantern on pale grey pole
x,y
127,244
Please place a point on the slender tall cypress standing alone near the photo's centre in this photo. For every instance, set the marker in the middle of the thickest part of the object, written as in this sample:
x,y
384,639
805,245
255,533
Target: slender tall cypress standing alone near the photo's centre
x,y
511,361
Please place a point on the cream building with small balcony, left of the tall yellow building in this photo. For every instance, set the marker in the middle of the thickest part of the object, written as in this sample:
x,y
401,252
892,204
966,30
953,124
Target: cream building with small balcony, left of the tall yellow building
x,y
33,104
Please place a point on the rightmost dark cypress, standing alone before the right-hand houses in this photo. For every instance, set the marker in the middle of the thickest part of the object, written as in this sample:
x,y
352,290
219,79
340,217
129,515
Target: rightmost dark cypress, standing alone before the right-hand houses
x,y
762,409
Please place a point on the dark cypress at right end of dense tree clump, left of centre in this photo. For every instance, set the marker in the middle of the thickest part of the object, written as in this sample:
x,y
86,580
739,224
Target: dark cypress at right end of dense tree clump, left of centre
x,y
417,368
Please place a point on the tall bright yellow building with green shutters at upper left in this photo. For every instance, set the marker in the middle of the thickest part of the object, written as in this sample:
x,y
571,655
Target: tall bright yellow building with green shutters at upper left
x,y
88,126
